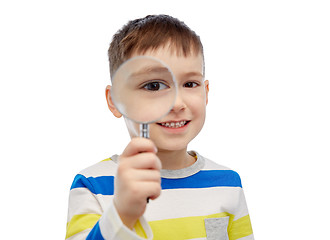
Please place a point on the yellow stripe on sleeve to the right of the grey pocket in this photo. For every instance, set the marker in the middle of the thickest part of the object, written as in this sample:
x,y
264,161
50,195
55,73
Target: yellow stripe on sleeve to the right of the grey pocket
x,y
240,228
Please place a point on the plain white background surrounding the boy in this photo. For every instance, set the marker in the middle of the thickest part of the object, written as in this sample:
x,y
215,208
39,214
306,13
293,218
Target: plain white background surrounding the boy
x,y
268,115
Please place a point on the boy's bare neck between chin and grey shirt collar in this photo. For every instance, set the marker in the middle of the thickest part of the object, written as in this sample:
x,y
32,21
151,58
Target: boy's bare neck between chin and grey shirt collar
x,y
173,160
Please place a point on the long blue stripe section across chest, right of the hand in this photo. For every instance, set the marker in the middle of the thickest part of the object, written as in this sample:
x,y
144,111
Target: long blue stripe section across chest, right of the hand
x,y
205,179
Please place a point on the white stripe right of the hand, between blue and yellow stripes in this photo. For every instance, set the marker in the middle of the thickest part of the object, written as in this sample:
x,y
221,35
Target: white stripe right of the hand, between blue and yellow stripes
x,y
196,202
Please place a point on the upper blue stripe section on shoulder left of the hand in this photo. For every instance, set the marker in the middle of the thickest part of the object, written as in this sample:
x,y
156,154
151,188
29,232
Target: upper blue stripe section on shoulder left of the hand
x,y
98,185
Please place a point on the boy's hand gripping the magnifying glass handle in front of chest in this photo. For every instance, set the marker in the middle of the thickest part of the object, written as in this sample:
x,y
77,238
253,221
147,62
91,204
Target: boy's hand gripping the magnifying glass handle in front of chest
x,y
138,178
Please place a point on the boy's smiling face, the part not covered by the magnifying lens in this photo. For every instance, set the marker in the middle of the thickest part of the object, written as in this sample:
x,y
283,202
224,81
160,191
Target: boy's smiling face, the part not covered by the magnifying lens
x,y
186,118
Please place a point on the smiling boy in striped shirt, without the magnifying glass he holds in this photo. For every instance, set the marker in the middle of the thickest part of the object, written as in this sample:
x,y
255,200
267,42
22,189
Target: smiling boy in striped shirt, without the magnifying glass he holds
x,y
191,196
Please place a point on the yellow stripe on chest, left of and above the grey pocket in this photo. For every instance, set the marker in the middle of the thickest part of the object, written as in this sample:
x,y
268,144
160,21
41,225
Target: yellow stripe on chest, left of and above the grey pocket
x,y
183,228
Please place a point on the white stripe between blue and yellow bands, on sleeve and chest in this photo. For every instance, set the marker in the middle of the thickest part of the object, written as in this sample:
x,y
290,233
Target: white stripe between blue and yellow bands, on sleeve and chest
x,y
185,202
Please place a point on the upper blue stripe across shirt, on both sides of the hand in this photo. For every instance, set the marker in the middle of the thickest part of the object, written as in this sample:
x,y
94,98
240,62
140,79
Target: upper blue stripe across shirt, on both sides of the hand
x,y
203,179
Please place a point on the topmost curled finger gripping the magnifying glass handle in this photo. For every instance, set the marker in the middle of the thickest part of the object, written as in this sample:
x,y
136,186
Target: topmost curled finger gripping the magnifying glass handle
x,y
138,145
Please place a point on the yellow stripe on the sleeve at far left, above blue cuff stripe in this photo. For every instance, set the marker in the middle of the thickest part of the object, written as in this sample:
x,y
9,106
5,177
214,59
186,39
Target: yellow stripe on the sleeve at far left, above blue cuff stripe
x,y
80,223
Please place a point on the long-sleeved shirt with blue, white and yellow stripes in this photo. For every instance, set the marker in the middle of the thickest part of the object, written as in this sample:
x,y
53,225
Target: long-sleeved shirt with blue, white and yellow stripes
x,y
202,201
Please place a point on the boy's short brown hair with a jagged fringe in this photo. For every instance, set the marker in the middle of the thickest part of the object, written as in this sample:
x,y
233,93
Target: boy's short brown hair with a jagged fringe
x,y
152,32
